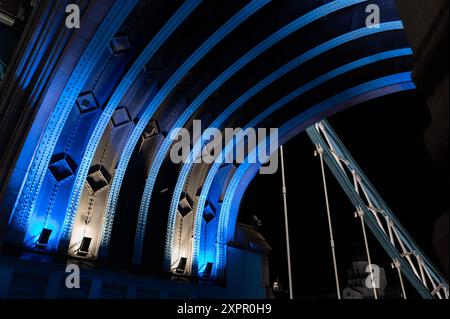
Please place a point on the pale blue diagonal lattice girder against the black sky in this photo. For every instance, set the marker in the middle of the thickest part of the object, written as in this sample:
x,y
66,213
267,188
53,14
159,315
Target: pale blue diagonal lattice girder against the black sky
x,y
406,255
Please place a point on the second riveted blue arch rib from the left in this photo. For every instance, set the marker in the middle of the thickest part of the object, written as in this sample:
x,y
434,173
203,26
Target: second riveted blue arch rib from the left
x,y
169,27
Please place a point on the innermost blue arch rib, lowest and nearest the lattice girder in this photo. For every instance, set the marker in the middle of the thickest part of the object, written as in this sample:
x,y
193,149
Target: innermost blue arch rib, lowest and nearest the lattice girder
x,y
246,171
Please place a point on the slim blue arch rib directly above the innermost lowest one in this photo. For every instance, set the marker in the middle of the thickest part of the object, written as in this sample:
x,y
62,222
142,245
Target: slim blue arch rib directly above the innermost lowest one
x,y
264,115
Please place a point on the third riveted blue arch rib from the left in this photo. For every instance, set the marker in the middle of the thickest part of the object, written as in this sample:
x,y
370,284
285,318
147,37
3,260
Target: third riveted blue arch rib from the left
x,y
206,47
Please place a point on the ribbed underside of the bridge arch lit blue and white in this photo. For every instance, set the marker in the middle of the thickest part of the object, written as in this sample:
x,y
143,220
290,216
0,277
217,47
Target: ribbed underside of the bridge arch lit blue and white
x,y
86,170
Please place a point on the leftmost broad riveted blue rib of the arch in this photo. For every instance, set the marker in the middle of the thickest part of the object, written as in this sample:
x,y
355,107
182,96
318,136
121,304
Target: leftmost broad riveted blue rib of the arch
x,y
26,202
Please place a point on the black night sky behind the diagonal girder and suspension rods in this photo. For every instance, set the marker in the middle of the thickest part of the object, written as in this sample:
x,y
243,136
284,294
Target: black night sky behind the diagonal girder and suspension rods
x,y
385,138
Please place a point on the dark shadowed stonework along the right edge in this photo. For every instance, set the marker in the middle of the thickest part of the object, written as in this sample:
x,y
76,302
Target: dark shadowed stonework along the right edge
x,y
426,26
